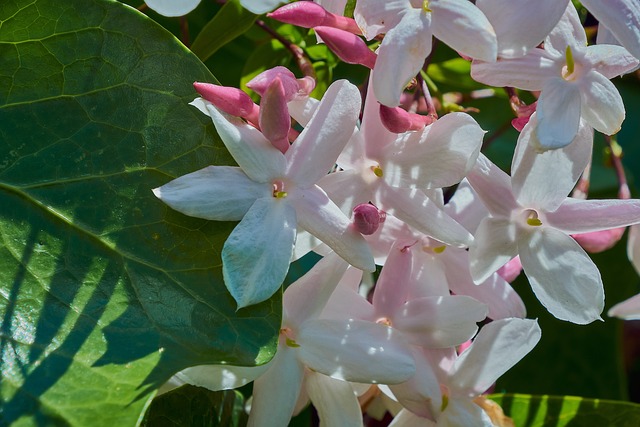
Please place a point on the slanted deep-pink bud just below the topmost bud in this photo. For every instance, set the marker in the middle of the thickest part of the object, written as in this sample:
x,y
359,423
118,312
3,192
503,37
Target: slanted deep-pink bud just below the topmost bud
x,y
349,47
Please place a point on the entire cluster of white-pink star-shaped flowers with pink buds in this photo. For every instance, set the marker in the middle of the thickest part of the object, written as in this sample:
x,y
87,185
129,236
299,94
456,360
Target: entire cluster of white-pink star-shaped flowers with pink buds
x,y
361,183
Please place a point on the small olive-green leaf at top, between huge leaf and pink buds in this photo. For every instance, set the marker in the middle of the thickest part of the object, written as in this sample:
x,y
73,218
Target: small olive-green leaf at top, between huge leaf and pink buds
x,y
230,22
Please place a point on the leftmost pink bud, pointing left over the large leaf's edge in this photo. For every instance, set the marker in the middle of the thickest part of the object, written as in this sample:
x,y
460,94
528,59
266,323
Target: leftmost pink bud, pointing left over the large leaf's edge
x,y
231,100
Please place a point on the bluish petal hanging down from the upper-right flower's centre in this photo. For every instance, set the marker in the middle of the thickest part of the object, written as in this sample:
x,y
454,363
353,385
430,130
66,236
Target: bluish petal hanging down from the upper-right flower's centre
x,y
558,113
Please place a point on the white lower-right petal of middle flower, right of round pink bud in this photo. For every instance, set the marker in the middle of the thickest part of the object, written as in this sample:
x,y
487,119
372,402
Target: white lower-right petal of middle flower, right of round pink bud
x,y
416,209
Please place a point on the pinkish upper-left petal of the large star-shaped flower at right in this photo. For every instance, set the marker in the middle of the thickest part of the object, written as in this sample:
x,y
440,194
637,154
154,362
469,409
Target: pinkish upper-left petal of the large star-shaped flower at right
x,y
493,186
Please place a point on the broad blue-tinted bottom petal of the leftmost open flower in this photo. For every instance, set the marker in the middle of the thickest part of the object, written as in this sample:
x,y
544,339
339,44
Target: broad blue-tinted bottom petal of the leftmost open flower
x,y
256,255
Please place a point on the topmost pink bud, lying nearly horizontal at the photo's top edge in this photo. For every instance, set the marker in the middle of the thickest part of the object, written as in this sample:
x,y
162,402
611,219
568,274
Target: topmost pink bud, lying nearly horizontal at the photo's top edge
x,y
310,15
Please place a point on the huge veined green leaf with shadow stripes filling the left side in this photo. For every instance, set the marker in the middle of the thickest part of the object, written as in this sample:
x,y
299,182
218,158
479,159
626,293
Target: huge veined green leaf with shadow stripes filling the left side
x,y
105,291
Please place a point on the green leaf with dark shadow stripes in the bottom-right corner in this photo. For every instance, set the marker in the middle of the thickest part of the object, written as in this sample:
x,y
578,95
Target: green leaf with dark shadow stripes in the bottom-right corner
x,y
561,411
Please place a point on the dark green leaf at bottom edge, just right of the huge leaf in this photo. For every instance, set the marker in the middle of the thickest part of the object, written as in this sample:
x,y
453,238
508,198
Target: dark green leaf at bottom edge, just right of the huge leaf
x,y
191,406
